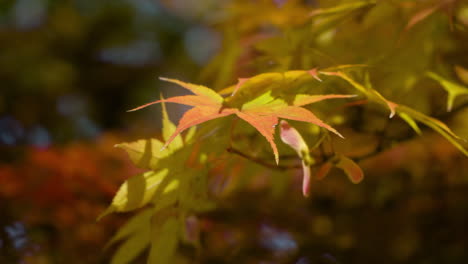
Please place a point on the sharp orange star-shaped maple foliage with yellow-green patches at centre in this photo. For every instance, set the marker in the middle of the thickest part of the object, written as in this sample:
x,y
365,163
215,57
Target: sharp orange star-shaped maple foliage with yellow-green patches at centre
x,y
262,113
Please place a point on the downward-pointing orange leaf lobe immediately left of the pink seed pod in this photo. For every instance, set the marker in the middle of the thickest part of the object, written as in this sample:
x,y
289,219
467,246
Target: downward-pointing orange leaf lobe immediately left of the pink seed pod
x,y
265,124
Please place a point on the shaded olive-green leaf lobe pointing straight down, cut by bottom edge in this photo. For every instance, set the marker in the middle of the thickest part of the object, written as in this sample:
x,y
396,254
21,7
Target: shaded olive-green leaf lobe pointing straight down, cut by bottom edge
x,y
164,239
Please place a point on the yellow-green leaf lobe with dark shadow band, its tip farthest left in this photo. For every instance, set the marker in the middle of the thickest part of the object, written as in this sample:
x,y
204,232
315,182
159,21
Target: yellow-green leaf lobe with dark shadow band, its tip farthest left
x,y
139,190
